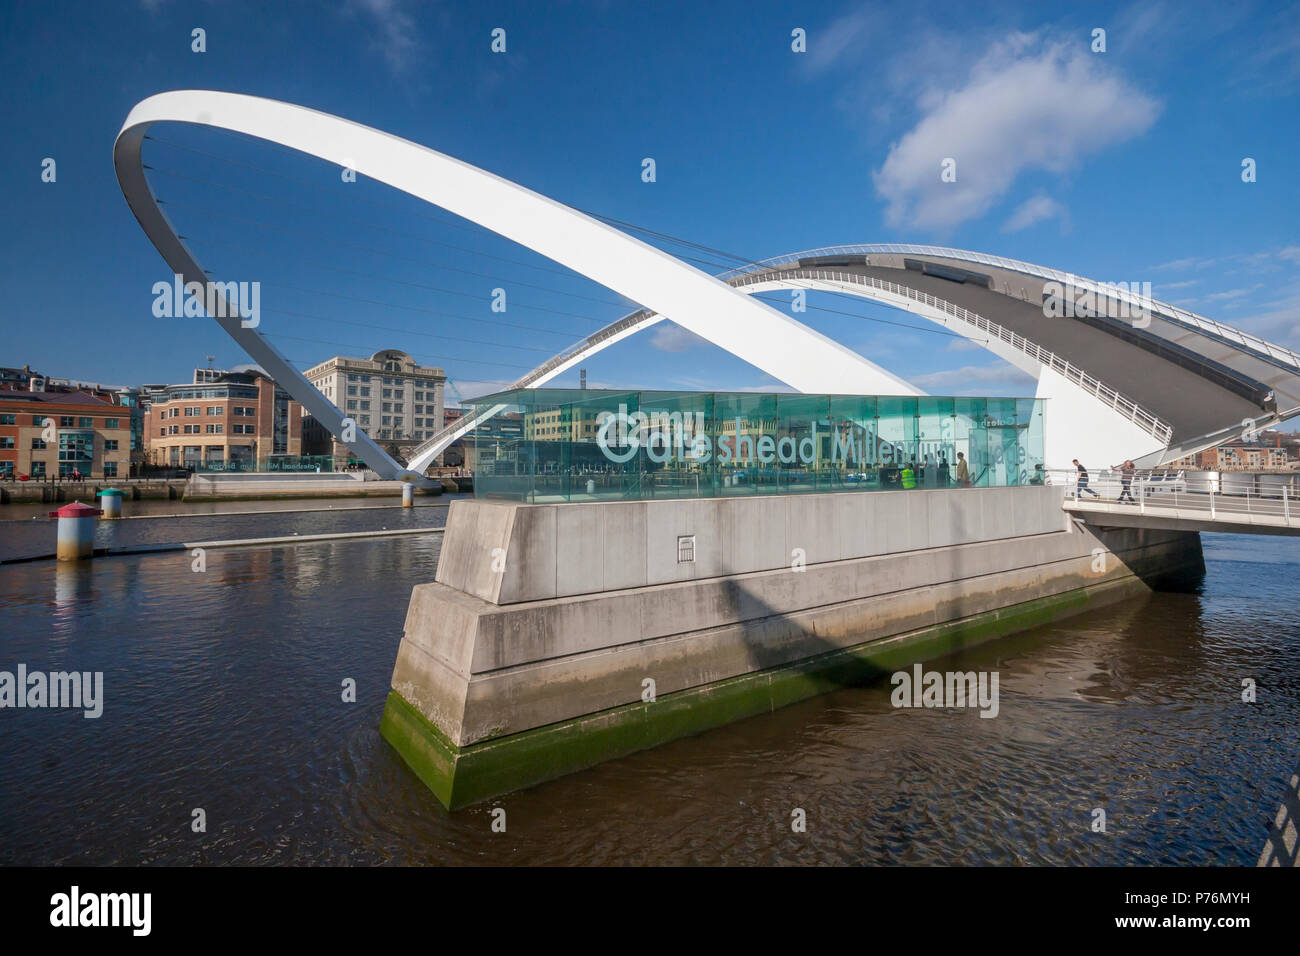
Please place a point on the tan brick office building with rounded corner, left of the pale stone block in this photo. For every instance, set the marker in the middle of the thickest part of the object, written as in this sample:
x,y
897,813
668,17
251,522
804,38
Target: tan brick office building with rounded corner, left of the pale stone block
x,y
223,422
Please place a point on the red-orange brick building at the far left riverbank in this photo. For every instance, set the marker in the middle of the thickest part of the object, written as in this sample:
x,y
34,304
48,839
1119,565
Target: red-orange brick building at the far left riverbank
x,y
63,434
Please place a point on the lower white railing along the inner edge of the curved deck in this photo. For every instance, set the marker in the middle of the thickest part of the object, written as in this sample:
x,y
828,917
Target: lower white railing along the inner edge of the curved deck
x,y
1104,393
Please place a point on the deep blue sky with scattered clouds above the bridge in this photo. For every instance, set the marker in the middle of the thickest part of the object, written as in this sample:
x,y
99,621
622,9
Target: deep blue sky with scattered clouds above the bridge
x,y
1123,166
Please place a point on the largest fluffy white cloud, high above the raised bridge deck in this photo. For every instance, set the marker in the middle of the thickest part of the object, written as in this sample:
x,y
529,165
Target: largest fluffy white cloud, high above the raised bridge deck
x,y
1026,106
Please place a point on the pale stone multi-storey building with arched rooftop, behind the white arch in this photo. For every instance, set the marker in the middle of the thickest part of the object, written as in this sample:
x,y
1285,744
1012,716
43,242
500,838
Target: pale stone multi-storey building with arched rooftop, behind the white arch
x,y
392,399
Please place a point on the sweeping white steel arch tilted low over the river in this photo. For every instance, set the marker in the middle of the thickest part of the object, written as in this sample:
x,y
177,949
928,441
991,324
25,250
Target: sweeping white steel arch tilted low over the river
x,y
752,331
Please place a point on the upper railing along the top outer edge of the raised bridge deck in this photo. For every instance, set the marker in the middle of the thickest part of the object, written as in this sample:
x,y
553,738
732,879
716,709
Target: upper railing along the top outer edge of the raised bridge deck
x,y
1202,323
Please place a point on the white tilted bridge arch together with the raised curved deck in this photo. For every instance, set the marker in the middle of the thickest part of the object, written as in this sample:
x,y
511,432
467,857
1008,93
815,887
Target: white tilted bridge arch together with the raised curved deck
x,y
1152,390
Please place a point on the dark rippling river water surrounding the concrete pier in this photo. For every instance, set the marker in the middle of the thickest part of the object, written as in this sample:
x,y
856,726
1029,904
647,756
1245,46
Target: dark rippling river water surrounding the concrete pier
x,y
223,693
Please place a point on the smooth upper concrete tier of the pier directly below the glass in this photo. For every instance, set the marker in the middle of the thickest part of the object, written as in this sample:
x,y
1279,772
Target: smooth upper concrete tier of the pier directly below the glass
x,y
506,553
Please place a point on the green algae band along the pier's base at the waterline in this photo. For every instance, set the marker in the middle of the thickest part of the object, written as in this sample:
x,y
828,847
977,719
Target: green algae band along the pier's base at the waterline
x,y
465,776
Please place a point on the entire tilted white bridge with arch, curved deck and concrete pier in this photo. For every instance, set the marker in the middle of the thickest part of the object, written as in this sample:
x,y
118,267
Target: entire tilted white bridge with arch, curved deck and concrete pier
x,y
528,656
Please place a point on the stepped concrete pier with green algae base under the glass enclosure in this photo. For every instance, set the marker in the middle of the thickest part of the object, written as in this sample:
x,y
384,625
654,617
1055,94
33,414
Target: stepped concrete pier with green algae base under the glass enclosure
x,y
557,637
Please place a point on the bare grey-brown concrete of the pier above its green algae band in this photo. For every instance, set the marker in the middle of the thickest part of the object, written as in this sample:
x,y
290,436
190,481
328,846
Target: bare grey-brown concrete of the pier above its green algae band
x,y
479,669
